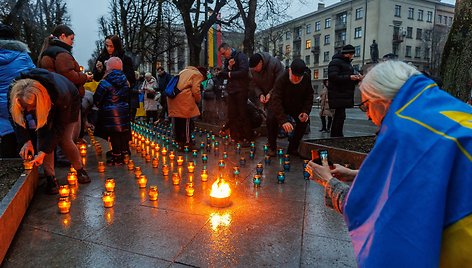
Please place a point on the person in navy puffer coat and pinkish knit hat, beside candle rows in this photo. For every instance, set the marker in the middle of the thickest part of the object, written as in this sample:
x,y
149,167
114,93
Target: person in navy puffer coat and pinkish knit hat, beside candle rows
x,y
111,98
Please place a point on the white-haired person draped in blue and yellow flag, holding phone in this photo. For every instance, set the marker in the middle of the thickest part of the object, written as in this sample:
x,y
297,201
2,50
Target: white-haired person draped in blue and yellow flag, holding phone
x,y
410,204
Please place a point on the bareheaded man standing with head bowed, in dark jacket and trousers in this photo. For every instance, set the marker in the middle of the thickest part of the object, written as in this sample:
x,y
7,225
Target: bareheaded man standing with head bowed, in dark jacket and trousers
x,y
236,71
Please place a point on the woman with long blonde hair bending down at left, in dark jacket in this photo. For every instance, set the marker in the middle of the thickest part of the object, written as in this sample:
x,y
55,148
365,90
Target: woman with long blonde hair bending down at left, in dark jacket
x,y
55,104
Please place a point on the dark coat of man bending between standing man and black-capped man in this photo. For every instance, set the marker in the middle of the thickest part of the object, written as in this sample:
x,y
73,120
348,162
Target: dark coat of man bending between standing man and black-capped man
x,y
263,82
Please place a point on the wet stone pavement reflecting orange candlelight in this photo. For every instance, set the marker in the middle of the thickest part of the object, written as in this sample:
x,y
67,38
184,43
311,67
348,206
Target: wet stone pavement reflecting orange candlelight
x,y
275,225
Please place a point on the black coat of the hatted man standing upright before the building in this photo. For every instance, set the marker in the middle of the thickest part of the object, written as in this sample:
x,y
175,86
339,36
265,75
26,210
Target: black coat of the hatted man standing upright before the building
x,y
340,87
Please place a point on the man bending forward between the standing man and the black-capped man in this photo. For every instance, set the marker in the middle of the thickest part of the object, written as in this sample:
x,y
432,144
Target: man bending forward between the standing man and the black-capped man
x,y
264,71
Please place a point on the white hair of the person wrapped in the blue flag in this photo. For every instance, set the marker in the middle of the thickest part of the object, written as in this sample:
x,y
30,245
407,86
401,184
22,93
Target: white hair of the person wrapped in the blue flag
x,y
385,79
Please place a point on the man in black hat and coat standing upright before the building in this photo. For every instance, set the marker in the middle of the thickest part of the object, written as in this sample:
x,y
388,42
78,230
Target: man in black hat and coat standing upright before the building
x,y
342,81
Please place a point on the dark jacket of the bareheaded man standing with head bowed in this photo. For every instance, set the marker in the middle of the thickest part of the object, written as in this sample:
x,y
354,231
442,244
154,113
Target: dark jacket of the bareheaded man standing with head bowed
x,y
238,80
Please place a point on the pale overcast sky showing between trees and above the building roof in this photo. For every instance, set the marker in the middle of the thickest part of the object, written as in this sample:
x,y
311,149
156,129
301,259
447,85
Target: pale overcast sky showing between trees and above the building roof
x,y
84,15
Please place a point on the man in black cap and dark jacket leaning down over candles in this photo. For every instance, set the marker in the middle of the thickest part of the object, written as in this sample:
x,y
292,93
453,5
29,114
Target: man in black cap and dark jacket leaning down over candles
x,y
292,96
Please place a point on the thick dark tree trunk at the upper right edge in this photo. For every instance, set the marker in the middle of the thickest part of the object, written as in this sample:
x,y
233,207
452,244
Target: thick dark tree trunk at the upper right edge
x,y
457,55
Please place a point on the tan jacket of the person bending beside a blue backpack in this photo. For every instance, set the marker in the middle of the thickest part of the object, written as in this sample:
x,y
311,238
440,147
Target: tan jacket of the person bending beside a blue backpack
x,y
184,105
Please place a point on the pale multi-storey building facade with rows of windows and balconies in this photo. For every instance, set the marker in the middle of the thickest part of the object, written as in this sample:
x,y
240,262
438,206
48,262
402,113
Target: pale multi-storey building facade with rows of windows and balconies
x,y
414,30
